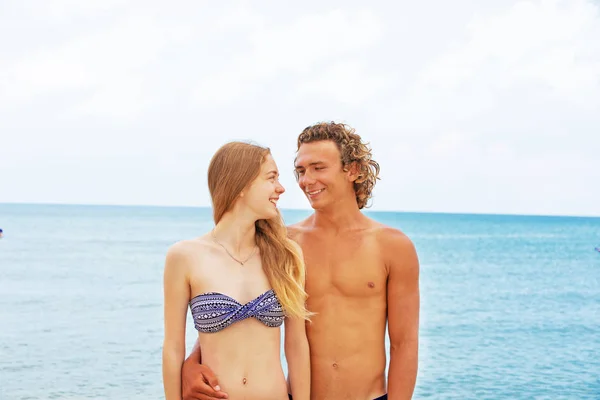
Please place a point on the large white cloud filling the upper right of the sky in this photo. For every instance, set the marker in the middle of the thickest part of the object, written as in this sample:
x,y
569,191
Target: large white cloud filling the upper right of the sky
x,y
526,78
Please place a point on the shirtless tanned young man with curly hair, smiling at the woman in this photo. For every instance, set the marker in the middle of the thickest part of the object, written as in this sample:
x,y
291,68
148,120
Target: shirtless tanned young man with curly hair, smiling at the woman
x,y
360,275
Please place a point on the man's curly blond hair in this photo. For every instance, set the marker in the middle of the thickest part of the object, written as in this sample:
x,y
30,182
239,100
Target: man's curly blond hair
x,y
352,151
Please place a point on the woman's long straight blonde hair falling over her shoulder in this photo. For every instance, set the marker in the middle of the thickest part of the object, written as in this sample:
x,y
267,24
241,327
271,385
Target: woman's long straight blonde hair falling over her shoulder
x,y
232,169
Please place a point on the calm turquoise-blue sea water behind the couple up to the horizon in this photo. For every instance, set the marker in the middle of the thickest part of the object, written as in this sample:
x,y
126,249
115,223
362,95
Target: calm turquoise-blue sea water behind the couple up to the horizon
x,y
510,304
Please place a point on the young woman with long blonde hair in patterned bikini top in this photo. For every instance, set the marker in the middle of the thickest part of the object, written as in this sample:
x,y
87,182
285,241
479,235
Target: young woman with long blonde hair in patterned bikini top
x,y
241,281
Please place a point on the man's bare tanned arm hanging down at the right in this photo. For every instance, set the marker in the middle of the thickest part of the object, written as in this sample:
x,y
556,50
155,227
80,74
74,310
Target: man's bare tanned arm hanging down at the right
x,y
403,315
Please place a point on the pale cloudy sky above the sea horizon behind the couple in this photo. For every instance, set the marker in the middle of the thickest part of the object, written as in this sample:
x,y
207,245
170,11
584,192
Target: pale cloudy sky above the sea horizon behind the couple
x,y
469,106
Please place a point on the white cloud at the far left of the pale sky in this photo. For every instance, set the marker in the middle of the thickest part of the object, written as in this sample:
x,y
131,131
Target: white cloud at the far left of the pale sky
x,y
106,65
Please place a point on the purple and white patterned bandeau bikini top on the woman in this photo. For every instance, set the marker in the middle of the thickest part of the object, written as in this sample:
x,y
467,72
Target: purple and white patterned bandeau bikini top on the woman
x,y
213,311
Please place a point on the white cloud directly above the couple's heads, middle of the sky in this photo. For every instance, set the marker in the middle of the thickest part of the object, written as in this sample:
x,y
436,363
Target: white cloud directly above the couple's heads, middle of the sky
x,y
299,50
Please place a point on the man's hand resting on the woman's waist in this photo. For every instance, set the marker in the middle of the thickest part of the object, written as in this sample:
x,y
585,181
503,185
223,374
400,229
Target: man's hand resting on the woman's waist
x,y
198,382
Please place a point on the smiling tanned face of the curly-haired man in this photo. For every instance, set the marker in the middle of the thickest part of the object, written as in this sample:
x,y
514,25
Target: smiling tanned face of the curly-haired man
x,y
320,174
